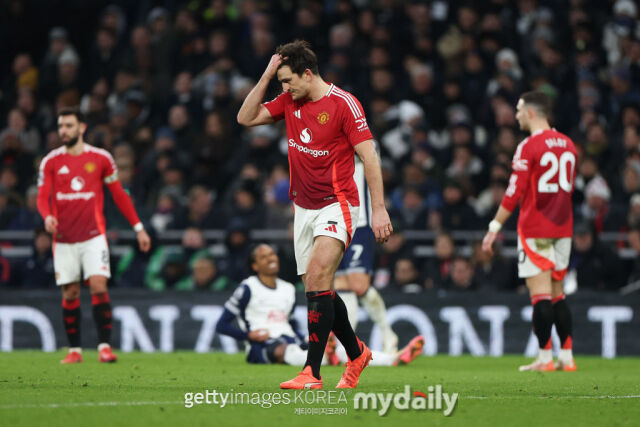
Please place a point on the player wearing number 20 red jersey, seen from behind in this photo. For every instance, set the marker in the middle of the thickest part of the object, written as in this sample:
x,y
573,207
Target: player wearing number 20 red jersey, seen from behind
x,y
544,169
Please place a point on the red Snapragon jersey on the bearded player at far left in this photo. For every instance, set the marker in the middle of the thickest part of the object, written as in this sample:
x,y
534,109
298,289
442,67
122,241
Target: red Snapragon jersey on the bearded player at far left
x,y
75,185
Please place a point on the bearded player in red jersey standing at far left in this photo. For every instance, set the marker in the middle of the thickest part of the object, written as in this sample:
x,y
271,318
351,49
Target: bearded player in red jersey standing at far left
x,y
70,199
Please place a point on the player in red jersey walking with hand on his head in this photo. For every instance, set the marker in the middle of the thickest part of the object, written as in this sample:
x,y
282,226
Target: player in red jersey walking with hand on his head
x,y
325,126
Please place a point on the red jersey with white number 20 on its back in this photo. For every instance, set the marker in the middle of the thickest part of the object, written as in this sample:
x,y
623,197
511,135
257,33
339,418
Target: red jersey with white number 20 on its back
x,y
544,171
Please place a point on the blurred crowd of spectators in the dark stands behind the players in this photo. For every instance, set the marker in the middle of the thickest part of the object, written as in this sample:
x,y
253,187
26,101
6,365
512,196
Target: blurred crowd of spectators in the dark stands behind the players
x,y
161,83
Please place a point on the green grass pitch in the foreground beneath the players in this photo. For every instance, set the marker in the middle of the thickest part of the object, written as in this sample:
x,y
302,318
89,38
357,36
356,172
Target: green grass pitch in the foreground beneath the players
x,y
148,389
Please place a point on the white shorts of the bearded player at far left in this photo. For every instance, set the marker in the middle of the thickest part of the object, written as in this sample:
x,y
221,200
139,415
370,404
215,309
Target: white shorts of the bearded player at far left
x,y
90,257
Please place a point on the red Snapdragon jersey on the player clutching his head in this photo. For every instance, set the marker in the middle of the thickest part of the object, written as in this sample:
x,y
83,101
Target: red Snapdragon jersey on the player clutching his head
x,y
322,136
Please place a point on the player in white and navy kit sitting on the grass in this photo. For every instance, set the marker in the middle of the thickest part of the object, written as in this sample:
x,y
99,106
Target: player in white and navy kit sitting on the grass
x,y
263,306
